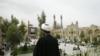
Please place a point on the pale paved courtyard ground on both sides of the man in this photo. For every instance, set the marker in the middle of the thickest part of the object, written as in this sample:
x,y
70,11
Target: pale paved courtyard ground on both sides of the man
x,y
66,48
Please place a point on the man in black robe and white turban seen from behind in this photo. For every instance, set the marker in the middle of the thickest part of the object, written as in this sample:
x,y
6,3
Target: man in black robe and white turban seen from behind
x,y
47,45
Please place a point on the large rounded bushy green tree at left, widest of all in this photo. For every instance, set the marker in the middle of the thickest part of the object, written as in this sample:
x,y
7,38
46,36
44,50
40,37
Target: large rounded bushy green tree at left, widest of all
x,y
13,35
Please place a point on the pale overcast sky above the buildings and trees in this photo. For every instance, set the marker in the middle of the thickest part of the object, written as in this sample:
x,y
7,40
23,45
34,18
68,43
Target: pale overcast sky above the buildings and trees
x,y
86,12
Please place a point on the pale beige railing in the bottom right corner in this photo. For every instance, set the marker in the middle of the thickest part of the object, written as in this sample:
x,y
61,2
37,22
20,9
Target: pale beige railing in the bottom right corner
x,y
90,52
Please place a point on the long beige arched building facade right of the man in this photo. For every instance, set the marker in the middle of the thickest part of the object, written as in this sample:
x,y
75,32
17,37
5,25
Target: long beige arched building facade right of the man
x,y
73,31
